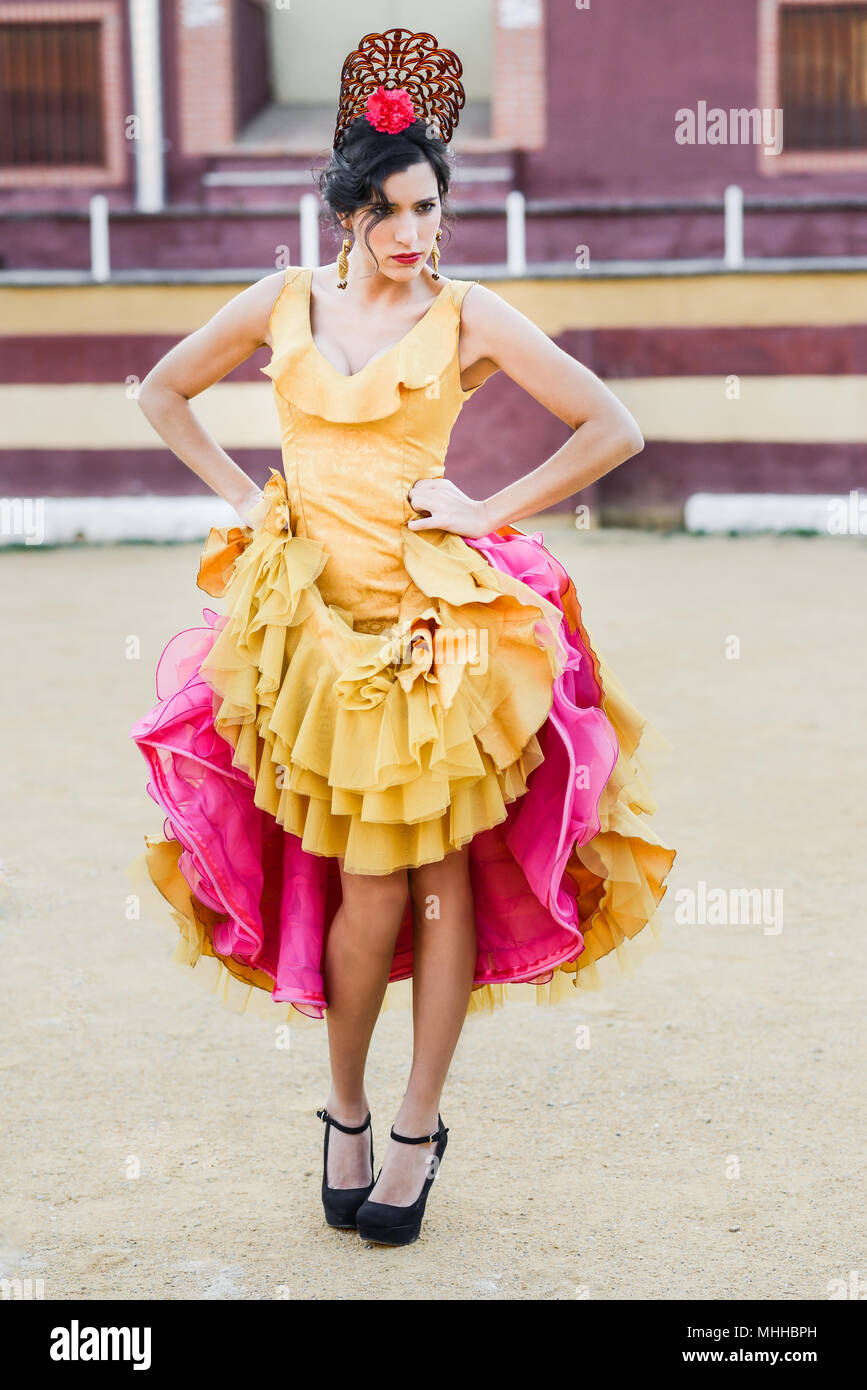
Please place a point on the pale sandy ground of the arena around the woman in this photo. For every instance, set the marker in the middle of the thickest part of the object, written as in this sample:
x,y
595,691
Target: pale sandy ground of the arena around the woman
x,y
704,1145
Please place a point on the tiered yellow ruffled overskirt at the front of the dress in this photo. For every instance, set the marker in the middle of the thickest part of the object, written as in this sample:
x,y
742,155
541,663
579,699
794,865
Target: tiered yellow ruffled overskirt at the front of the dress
x,y
386,750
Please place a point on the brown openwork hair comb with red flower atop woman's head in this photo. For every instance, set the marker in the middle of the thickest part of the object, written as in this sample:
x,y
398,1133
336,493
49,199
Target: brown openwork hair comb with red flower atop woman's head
x,y
401,77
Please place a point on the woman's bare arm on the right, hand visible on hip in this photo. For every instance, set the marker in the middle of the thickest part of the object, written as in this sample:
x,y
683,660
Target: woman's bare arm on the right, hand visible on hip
x,y
497,336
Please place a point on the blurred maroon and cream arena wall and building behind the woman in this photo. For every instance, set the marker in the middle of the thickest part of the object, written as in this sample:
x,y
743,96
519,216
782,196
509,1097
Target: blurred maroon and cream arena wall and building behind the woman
x,y
676,194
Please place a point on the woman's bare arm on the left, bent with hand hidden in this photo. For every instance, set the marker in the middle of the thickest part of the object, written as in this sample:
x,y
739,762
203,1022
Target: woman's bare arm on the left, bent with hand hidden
x,y
201,359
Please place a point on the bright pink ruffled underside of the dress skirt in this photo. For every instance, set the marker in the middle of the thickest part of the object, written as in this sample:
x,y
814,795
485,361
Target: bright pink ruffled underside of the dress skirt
x,y
277,900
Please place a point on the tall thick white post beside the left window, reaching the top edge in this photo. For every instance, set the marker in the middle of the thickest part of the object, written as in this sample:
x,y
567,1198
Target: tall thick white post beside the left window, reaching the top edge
x,y
148,105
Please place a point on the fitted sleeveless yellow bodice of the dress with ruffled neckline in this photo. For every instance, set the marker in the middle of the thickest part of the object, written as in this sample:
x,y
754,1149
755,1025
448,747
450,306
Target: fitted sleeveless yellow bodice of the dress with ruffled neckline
x,y
354,445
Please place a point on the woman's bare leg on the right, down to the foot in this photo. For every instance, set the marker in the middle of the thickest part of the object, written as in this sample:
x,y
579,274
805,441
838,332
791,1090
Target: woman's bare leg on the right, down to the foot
x,y
444,964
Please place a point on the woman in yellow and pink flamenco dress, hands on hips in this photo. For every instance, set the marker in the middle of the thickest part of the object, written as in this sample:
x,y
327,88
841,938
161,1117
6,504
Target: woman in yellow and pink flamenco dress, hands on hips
x,y
344,755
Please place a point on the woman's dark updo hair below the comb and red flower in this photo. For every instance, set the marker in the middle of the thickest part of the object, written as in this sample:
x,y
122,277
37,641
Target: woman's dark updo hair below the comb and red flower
x,y
366,158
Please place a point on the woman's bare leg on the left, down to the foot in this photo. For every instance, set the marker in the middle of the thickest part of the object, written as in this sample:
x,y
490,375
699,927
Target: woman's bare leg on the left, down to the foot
x,y
358,961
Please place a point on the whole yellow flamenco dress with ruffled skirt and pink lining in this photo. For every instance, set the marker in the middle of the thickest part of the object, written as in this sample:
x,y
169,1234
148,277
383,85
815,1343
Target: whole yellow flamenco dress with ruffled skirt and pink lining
x,y
384,697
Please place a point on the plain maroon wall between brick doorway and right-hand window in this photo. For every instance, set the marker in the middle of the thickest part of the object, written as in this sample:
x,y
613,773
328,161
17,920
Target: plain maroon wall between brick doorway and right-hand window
x,y
616,76
